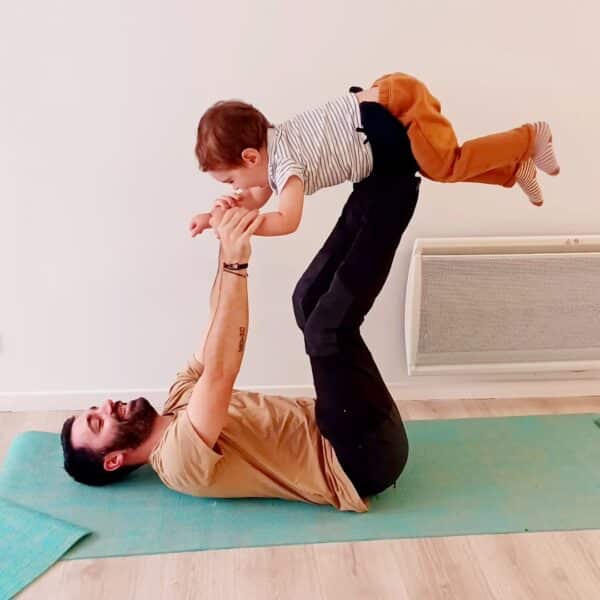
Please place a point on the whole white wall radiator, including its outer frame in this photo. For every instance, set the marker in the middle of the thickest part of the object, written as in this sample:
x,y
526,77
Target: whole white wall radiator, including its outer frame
x,y
503,305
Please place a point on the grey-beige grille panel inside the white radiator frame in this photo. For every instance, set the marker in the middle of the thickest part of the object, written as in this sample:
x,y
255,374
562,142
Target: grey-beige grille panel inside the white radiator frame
x,y
503,309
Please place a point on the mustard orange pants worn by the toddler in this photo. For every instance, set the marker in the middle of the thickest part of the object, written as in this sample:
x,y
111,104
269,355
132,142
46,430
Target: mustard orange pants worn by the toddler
x,y
490,159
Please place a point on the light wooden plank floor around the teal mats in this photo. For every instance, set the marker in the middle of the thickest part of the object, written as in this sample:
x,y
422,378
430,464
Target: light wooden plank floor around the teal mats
x,y
540,566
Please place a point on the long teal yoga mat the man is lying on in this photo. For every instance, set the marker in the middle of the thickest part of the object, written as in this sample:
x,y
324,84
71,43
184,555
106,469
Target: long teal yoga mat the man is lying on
x,y
466,476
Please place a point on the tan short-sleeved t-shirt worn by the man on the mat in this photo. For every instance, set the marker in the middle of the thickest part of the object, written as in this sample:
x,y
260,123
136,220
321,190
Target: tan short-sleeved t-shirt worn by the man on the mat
x,y
270,447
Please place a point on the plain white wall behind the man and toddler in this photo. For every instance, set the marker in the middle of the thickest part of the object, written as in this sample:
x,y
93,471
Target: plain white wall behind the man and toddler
x,y
101,288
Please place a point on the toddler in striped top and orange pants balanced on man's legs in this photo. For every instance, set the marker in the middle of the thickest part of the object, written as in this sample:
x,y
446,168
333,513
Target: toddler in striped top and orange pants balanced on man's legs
x,y
326,146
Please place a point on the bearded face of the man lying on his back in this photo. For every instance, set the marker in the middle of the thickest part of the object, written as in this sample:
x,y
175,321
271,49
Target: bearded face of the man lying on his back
x,y
114,426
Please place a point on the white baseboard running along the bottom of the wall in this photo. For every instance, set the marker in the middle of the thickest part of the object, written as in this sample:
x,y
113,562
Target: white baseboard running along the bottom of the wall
x,y
418,390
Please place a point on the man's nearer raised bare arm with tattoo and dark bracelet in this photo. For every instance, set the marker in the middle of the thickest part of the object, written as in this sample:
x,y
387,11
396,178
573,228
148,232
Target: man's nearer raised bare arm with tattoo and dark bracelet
x,y
226,337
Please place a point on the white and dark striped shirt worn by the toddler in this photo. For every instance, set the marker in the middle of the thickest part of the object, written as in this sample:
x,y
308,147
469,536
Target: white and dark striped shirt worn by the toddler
x,y
321,146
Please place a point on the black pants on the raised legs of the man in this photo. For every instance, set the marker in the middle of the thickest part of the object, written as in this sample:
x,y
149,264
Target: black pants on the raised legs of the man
x,y
354,408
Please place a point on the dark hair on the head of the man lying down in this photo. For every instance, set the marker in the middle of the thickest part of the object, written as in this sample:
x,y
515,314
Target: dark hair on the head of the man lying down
x,y
86,465
